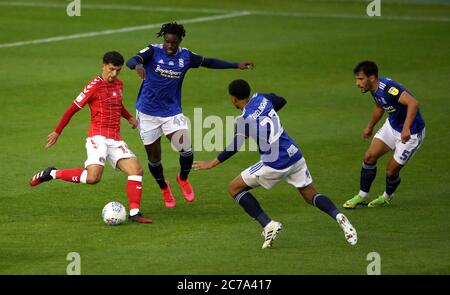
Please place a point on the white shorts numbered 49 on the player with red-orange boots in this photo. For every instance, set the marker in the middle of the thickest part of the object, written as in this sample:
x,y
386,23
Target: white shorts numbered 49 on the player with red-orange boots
x,y
152,127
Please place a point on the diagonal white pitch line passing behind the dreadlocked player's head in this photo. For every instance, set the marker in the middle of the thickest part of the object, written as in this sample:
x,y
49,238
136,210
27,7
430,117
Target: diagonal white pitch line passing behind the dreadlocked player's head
x,y
122,30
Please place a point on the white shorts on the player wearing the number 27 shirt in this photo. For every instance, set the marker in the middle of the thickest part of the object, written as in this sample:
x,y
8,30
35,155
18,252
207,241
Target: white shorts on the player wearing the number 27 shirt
x,y
265,176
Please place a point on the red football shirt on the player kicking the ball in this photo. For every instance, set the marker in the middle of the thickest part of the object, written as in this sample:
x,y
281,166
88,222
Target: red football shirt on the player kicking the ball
x,y
105,102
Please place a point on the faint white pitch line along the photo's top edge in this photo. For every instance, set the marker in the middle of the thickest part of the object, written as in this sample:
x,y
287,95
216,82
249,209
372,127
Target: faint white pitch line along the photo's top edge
x,y
206,10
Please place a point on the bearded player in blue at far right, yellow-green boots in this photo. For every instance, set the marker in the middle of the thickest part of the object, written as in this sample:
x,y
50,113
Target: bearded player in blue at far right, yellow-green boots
x,y
403,132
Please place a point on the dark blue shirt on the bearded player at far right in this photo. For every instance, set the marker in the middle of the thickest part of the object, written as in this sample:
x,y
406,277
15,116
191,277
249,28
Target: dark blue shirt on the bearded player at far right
x,y
387,96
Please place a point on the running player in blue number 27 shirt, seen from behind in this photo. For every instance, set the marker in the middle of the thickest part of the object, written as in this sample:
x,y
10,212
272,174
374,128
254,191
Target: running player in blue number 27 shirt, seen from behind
x,y
281,159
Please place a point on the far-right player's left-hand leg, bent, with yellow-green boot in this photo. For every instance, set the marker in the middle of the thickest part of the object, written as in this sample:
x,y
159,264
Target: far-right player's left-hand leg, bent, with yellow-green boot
x,y
382,143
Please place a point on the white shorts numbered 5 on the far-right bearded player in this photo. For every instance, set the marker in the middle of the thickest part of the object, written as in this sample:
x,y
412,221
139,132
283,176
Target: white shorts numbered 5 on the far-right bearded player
x,y
403,152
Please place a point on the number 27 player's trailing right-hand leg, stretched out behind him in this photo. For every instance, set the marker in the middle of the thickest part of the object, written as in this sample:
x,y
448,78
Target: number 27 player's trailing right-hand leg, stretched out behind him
x,y
298,175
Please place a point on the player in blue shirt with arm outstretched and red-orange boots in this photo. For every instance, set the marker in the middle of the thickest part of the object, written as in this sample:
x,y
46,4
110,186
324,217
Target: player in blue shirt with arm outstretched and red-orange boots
x,y
162,68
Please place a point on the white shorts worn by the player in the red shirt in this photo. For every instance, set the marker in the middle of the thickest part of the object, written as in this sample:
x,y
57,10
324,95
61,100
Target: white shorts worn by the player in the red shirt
x,y
100,148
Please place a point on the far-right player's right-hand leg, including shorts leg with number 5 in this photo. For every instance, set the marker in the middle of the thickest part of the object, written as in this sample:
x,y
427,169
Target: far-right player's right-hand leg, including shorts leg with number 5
x,y
403,153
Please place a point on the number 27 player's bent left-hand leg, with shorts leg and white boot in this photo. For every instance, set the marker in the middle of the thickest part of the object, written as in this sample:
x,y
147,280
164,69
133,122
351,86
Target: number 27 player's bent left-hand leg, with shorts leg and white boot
x,y
252,177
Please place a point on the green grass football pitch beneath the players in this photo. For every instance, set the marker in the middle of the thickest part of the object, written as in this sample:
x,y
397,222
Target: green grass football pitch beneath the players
x,y
304,51
